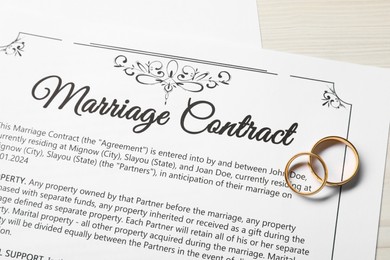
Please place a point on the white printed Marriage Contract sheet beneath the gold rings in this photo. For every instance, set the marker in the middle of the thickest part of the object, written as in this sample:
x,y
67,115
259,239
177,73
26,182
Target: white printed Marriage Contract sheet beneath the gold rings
x,y
149,152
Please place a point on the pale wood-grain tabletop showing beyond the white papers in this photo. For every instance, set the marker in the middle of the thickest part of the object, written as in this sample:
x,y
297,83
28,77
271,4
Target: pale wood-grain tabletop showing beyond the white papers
x,y
355,31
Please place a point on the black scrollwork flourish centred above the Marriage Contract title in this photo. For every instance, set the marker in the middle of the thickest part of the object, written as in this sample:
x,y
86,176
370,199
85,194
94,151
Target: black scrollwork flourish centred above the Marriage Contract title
x,y
171,76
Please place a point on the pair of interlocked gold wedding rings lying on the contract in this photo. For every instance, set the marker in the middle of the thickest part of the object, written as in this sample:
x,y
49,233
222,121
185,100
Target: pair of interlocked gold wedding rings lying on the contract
x,y
313,155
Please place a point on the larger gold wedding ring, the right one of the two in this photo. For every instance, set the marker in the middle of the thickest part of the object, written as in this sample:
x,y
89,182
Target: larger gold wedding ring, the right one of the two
x,y
347,143
